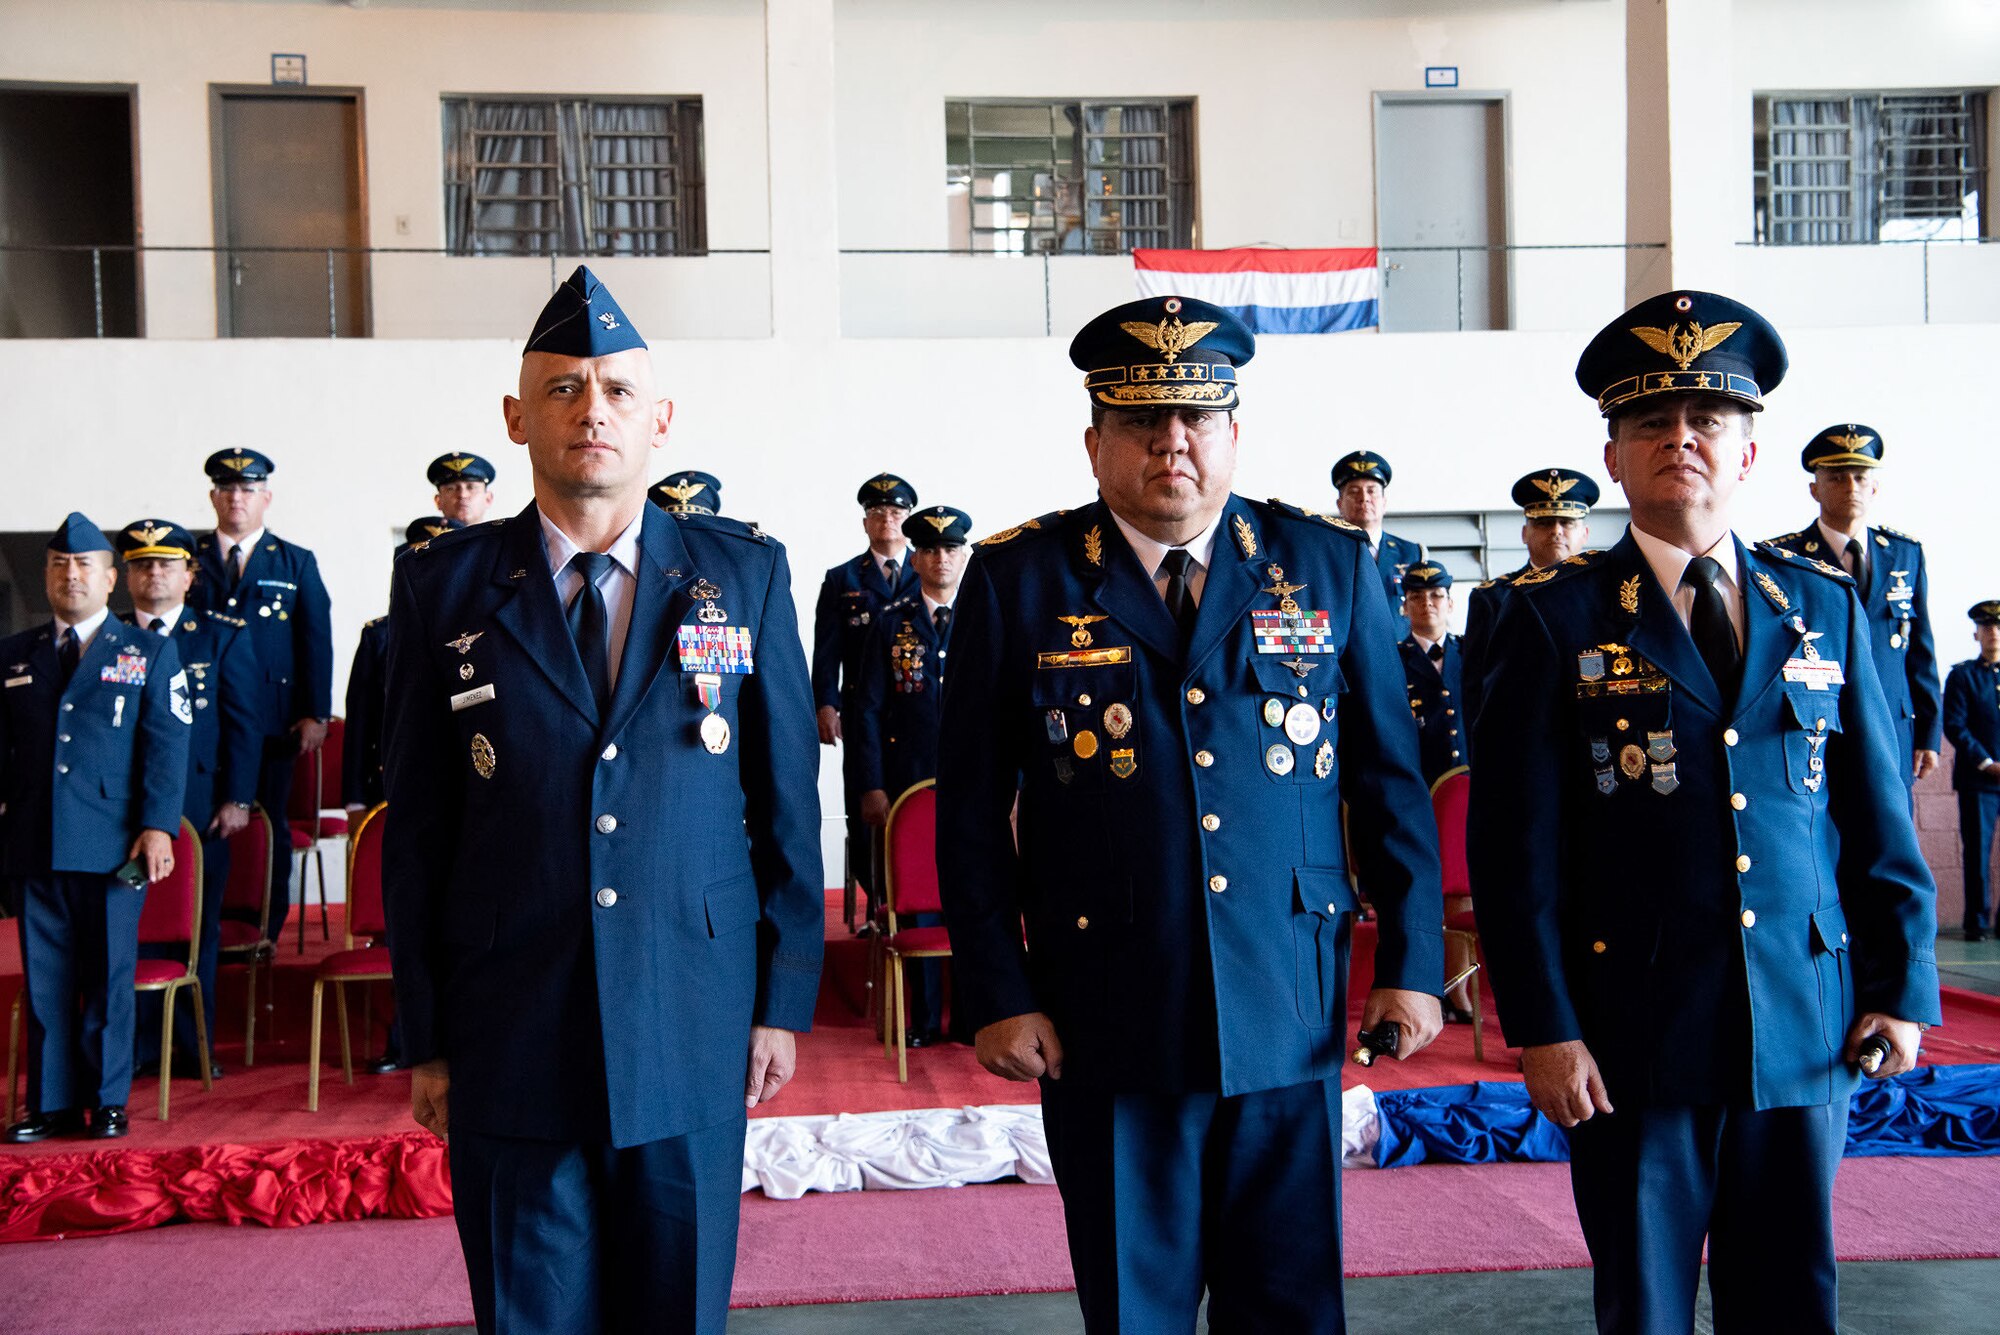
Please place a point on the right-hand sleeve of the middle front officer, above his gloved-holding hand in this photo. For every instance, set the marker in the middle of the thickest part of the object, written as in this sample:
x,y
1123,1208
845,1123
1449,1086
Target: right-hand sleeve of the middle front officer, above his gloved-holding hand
x,y
1393,834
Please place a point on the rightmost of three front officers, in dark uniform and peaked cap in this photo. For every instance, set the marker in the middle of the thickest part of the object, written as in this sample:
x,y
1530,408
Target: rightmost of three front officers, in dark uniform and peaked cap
x,y
1693,860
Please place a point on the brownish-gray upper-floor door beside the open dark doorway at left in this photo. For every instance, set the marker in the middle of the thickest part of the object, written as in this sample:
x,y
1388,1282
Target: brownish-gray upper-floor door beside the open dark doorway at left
x,y
289,173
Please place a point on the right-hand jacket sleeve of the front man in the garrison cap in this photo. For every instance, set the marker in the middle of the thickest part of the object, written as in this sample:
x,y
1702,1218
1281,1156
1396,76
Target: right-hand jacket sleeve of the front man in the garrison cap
x,y
781,774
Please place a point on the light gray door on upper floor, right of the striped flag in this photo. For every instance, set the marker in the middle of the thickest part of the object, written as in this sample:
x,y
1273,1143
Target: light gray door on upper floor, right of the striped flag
x,y
1441,181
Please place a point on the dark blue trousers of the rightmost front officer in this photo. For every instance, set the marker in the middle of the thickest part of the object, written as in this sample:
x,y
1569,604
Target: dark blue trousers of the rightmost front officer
x,y
1759,1186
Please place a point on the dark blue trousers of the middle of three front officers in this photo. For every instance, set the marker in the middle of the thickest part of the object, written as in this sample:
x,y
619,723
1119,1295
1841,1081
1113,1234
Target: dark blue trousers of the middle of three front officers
x,y
1169,1196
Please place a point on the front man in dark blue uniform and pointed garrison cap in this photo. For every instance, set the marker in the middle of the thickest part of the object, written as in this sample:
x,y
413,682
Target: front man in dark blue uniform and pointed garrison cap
x,y
601,864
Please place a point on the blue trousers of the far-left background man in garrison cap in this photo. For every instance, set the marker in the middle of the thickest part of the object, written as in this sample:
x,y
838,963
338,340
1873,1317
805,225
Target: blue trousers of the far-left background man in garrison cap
x,y
79,944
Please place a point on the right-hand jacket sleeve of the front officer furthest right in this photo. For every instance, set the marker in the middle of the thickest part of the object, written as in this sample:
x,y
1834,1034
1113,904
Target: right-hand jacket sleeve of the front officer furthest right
x,y
1885,886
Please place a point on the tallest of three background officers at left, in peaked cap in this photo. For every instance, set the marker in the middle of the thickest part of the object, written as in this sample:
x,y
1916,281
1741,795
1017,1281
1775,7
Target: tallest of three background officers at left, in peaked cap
x,y
275,589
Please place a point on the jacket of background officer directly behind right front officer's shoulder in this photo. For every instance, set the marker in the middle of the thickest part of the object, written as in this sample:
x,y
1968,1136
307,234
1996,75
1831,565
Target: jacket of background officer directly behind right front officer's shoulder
x,y
1899,631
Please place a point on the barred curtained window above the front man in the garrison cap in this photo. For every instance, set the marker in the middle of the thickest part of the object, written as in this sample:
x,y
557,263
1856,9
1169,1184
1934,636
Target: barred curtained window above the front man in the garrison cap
x,y
573,177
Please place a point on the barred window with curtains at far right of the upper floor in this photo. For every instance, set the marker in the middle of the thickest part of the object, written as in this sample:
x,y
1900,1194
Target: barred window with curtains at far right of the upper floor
x,y
1869,167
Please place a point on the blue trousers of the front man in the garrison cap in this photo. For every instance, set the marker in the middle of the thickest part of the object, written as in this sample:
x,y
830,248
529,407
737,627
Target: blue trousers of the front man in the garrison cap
x,y
587,1238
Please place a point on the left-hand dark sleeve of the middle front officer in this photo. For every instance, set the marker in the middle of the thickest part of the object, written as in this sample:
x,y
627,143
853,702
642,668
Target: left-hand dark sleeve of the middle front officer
x,y
979,780
